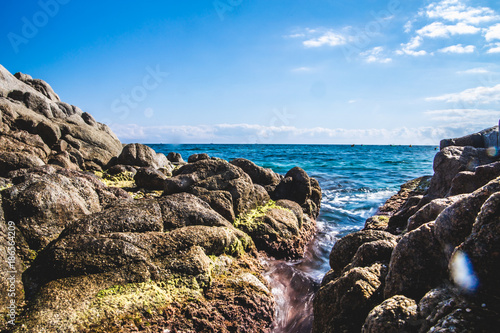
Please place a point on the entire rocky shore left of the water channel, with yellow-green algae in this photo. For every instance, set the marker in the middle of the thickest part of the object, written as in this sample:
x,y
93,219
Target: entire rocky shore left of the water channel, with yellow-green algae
x,y
99,236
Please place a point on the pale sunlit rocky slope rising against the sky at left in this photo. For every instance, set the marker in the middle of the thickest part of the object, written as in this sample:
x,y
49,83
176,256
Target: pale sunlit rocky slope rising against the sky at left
x,y
37,129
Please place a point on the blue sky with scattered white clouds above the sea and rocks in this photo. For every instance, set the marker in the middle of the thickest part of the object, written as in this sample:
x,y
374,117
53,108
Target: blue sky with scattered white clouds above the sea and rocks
x,y
264,71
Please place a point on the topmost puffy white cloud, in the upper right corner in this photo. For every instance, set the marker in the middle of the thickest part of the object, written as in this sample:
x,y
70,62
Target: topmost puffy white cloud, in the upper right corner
x,y
458,11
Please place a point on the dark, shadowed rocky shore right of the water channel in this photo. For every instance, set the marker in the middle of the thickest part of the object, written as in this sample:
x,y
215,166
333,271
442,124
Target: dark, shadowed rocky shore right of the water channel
x,y
429,260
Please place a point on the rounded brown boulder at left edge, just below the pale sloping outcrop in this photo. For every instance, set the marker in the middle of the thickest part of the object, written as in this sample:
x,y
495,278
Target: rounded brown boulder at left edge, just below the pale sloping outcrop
x,y
45,199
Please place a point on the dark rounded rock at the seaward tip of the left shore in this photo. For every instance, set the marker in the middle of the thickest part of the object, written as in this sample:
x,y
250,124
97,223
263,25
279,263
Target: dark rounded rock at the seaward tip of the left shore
x,y
298,187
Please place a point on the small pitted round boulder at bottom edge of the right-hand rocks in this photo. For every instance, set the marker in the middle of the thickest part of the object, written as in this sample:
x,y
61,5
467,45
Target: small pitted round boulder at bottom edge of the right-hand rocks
x,y
396,314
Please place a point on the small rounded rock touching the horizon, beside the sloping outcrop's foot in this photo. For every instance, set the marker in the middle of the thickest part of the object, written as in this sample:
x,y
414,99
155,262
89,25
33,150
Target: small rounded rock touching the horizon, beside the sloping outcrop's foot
x,y
140,155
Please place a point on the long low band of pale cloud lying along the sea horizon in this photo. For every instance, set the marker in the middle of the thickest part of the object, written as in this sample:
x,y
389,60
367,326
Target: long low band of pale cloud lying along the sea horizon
x,y
247,133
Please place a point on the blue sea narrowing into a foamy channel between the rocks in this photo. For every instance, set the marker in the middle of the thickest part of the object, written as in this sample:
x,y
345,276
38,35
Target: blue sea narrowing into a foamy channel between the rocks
x,y
355,181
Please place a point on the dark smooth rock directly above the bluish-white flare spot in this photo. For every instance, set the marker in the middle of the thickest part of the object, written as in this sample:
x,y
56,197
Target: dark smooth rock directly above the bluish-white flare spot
x,y
455,223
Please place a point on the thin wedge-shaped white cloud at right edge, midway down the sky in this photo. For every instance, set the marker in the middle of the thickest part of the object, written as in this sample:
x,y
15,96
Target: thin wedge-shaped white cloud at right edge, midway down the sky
x,y
479,95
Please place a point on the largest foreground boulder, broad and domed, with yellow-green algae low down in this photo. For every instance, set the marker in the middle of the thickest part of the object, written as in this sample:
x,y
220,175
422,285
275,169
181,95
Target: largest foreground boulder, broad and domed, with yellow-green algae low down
x,y
170,262
